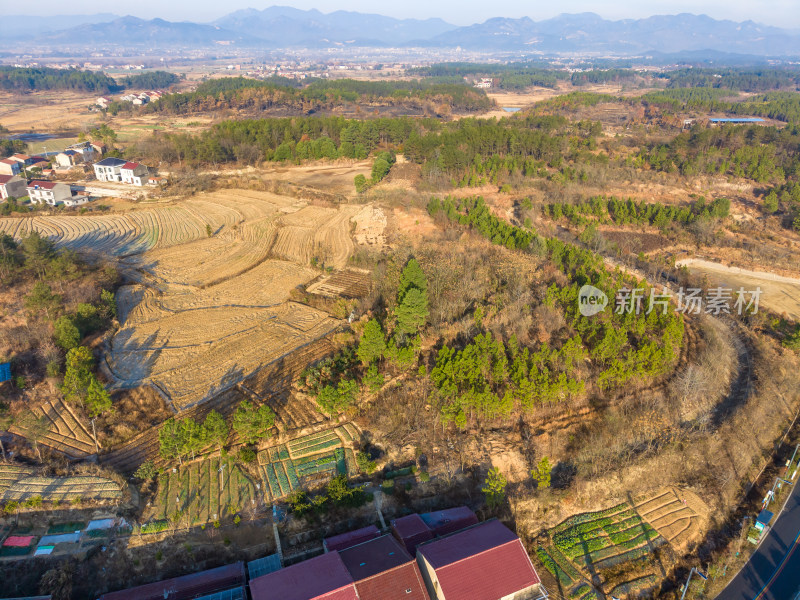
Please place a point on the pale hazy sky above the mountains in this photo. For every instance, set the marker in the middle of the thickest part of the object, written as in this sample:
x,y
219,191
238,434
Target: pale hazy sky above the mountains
x,y
783,13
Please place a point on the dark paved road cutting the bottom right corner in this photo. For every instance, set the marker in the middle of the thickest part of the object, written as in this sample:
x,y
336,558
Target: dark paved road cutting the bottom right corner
x,y
773,572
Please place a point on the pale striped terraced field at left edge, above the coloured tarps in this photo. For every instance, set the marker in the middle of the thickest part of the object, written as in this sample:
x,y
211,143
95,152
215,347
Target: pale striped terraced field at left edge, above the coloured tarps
x,y
19,483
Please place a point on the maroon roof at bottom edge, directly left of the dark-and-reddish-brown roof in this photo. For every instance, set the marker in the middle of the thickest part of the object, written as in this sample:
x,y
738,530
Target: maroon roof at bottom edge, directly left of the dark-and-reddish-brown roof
x,y
321,578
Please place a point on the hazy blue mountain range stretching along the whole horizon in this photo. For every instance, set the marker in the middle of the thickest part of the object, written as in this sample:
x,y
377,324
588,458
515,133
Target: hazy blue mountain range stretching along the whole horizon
x,y
280,27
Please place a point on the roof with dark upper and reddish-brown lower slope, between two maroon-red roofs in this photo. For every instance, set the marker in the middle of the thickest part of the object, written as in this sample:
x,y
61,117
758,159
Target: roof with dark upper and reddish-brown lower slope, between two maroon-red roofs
x,y
383,570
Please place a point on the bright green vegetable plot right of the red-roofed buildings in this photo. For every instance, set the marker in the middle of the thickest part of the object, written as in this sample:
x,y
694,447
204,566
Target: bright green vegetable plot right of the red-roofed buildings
x,y
595,545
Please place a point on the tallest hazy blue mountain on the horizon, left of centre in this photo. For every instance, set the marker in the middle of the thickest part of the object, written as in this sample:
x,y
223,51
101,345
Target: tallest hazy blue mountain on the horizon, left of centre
x,y
287,26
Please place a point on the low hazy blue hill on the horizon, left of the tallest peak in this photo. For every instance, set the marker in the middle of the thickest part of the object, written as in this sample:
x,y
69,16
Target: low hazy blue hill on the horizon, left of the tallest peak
x,y
132,31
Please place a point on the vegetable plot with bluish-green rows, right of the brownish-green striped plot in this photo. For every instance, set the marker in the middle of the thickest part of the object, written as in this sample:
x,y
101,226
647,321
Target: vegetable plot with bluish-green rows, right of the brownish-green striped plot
x,y
307,460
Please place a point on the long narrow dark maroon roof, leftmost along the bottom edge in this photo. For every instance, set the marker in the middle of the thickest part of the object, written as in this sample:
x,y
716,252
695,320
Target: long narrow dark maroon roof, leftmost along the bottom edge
x,y
185,587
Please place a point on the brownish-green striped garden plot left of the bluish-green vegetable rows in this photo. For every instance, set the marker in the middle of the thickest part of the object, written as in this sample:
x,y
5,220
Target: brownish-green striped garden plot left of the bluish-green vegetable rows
x,y
203,491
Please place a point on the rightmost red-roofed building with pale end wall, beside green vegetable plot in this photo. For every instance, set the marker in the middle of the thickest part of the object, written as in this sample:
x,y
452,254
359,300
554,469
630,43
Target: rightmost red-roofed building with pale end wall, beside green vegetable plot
x,y
483,562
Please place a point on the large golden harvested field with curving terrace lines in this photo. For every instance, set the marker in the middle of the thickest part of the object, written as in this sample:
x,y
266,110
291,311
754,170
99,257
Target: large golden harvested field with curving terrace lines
x,y
210,279
